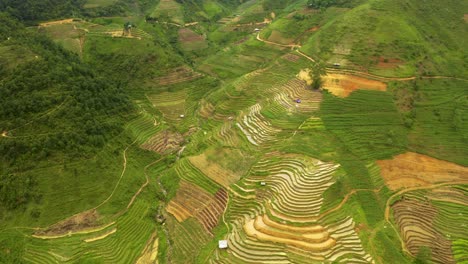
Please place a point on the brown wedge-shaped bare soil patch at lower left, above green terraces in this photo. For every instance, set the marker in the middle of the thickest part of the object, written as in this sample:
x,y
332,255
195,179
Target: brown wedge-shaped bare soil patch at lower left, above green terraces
x,y
77,222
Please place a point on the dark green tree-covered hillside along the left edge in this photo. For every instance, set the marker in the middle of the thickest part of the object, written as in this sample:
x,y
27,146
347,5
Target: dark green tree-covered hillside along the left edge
x,y
52,105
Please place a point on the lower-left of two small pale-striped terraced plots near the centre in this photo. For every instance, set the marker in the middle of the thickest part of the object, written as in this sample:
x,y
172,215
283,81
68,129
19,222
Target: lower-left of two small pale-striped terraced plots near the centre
x,y
256,128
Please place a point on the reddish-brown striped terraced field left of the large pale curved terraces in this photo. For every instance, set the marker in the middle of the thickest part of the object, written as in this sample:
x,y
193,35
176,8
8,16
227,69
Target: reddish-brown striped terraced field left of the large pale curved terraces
x,y
193,201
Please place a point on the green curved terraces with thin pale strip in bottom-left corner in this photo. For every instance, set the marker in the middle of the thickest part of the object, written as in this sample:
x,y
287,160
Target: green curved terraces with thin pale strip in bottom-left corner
x,y
119,243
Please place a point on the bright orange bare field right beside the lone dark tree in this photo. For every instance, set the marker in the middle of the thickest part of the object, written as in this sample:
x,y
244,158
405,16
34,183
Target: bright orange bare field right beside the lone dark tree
x,y
343,85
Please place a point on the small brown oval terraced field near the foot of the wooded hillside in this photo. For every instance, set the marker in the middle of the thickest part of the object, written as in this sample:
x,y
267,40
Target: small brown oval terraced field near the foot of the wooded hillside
x,y
164,142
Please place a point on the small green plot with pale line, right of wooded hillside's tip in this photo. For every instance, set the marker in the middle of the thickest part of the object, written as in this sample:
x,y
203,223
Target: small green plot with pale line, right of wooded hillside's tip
x,y
171,104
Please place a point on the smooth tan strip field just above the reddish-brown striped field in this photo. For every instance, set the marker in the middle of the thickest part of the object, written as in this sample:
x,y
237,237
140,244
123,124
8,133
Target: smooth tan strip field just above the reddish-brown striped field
x,y
214,170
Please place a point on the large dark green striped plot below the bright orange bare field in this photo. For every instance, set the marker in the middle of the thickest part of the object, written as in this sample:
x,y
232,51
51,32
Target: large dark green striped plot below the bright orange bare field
x,y
367,122
